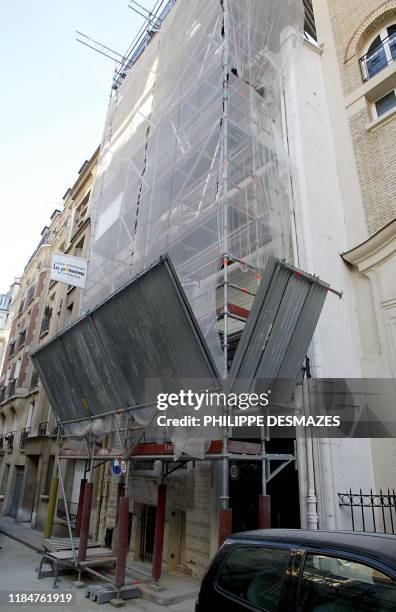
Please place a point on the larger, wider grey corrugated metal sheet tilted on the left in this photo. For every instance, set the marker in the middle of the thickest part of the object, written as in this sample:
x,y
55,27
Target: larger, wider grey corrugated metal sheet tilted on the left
x,y
142,340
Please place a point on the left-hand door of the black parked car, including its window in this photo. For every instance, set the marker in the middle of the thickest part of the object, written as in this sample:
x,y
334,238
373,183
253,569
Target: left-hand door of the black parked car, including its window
x,y
251,577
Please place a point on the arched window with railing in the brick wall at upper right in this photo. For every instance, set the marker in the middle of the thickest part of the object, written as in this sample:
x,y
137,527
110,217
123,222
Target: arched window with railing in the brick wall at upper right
x,y
380,53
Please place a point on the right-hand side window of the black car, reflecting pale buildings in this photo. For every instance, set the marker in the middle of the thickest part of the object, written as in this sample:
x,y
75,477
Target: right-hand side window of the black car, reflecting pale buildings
x,y
330,584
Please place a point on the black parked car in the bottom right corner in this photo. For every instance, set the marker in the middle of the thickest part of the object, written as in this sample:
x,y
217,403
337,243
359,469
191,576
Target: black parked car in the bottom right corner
x,y
284,570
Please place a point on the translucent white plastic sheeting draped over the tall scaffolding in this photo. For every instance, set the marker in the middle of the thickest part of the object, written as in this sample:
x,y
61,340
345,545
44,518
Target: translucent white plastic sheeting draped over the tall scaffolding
x,y
192,161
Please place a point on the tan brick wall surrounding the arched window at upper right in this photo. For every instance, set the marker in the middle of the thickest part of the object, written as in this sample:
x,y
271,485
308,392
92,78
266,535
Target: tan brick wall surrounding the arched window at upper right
x,y
354,23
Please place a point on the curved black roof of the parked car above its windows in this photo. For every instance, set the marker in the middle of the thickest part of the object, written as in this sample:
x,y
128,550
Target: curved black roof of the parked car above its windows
x,y
377,545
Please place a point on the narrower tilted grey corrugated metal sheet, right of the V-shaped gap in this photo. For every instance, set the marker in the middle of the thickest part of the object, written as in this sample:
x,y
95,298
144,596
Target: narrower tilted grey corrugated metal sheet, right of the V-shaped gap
x,y
280,327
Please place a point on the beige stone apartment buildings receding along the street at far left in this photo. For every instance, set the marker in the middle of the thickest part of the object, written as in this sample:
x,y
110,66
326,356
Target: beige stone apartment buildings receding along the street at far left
x,y
41,308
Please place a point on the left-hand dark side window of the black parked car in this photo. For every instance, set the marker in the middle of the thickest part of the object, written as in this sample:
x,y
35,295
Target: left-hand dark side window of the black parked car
x,y
254,574
